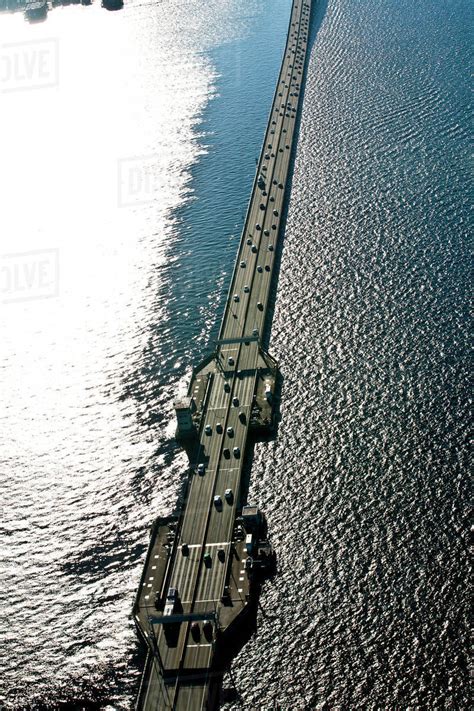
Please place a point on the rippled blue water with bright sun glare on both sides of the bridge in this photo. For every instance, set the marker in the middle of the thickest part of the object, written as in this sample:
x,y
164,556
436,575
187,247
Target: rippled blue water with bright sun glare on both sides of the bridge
x,y
131,173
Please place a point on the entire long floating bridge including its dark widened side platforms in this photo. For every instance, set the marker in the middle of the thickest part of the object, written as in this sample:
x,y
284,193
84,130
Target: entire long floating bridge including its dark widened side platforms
x,y
203,568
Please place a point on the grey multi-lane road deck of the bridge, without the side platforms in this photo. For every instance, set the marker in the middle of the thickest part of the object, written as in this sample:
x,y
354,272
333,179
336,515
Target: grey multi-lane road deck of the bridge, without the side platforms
x,y
205,528
